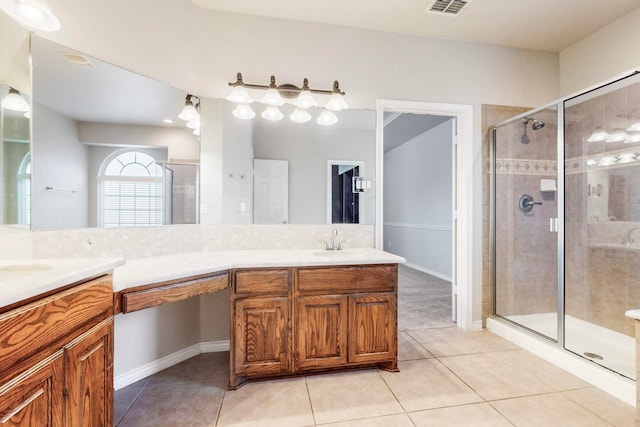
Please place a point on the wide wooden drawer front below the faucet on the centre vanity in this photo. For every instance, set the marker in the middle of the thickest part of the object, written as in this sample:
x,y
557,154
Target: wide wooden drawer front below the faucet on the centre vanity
x,y
343,280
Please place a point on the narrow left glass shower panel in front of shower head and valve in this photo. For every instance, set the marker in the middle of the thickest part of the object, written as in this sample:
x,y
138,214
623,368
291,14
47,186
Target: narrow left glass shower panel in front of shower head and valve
x,y
525,210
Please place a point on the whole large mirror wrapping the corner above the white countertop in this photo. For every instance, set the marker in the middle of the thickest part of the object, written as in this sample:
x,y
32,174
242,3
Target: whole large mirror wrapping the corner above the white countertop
x,y
92,122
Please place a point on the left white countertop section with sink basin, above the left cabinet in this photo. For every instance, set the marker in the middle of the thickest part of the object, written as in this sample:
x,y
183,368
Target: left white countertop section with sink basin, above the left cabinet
x,y
23,279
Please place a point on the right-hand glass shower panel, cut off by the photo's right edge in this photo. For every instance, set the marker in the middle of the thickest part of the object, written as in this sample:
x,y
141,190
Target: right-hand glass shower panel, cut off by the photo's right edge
x,y
602,225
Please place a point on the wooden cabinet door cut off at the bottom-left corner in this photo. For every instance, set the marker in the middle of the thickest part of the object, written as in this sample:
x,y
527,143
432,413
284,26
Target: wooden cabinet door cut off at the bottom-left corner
x,y
35,397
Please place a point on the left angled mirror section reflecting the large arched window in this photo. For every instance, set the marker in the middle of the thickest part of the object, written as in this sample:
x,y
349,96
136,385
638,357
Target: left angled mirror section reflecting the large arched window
x,y
108,148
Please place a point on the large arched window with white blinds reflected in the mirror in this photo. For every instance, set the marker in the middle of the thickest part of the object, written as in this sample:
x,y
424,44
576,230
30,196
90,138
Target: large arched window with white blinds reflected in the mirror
x,y
130,191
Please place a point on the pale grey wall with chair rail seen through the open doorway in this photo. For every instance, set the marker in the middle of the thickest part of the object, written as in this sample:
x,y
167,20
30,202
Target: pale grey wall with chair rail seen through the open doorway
x,y
417,208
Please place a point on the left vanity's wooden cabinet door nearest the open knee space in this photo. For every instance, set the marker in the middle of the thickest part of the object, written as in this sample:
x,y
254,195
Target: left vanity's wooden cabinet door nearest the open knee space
x,y
89,377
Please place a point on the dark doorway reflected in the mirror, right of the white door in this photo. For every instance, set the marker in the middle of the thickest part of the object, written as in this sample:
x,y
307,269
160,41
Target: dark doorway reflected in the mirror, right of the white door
x,y
344,203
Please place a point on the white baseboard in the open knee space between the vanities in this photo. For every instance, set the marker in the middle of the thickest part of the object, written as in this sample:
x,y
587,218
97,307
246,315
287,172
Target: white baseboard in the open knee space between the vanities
x,y
165,362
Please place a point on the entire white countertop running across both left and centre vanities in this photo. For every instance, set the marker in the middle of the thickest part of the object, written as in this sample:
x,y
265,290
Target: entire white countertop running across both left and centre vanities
x,y
24,279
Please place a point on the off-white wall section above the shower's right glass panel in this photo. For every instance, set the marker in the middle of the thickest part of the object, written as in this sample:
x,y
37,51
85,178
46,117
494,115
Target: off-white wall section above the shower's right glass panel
x,y
602,55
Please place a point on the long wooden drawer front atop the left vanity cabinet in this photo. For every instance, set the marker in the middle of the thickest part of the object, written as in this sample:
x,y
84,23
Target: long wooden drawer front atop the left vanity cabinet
x,y
52,318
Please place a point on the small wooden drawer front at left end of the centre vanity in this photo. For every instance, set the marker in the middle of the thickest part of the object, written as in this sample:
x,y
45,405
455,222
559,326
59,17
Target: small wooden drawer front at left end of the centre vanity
x,y
261,282
